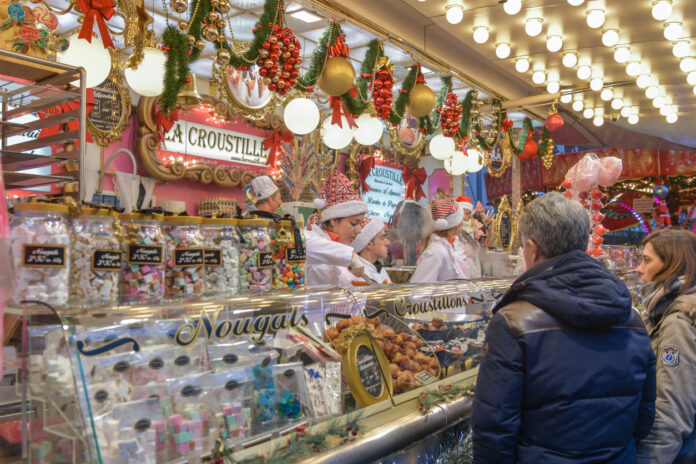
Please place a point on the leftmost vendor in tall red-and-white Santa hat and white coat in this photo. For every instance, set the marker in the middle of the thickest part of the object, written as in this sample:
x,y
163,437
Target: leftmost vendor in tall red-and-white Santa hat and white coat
x,y
330,258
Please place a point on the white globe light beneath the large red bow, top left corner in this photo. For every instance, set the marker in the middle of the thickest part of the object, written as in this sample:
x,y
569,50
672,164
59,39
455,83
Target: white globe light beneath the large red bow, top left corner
x,y
92,56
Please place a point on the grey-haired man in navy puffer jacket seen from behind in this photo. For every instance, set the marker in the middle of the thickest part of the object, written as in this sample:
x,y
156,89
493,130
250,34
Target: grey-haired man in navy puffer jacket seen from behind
x,y
568,373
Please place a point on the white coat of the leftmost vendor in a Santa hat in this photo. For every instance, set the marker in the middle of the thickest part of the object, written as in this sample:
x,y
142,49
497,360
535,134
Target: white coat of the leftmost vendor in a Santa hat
x,y
327,261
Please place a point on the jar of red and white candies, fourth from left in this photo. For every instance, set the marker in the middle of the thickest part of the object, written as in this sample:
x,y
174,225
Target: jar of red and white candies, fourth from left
x,y
185,270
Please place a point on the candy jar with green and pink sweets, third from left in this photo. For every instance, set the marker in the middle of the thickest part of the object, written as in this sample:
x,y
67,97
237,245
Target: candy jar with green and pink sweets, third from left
x,y
142,275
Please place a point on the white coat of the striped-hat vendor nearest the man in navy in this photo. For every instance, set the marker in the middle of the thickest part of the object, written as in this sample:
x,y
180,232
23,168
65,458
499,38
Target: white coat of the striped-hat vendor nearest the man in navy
x,y
439,262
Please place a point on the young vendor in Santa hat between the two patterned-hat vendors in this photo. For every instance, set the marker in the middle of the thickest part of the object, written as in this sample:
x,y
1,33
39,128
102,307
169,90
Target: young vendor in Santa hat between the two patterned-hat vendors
x,y
372,245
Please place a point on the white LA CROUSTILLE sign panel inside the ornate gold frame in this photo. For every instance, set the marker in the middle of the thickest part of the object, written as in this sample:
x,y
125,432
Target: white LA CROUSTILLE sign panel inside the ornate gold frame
x,y
212,142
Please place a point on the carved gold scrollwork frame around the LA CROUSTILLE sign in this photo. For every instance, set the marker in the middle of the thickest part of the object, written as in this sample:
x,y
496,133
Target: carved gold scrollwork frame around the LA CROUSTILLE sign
x,y
148,142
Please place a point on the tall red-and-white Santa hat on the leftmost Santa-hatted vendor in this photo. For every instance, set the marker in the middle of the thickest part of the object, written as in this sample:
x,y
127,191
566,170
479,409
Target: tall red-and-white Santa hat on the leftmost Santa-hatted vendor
x,y
340,199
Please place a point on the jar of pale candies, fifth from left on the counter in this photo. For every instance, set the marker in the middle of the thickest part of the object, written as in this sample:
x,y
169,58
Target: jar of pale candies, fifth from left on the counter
x,y
221,243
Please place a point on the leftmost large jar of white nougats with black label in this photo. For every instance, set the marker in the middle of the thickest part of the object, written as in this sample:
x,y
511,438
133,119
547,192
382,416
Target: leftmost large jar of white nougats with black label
x,y
40,237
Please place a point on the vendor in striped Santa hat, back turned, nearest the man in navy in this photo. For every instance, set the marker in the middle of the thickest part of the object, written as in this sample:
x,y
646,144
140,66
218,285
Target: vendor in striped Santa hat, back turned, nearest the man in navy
x,y
439,261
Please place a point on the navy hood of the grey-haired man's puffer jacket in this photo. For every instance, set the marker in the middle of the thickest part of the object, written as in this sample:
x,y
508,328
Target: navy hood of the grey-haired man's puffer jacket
x,y
575,288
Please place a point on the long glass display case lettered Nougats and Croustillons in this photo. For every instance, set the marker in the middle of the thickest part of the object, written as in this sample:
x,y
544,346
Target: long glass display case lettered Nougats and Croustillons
x,y
229,377
